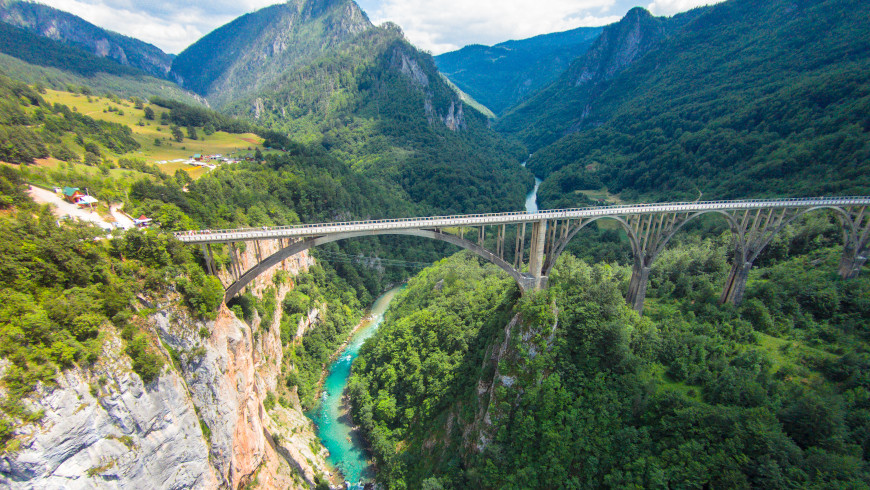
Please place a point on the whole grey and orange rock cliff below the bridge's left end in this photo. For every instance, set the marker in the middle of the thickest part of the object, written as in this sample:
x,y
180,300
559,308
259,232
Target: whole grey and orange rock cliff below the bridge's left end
x,y
200,424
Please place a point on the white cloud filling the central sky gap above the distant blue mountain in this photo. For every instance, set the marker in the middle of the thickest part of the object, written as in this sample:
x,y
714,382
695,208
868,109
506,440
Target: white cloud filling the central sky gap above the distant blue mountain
x,y
450,24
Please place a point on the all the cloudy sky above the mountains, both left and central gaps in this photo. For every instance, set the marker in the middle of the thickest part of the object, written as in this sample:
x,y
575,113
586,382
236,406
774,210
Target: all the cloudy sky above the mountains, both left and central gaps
x,y
434,25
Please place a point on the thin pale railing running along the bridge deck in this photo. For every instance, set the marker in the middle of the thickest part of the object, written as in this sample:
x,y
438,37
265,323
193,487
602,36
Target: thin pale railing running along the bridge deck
x,y
555,213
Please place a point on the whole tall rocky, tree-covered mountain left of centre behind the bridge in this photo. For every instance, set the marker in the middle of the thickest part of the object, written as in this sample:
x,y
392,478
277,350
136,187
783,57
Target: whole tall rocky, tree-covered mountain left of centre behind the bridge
x,y
320,72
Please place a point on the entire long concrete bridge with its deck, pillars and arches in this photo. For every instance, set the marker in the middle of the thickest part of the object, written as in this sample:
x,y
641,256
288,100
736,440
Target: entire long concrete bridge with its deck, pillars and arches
x,y
527,245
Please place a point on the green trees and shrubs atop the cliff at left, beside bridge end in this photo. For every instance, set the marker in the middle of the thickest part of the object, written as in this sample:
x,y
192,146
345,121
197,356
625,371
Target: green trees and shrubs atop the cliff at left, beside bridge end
x,y
65,284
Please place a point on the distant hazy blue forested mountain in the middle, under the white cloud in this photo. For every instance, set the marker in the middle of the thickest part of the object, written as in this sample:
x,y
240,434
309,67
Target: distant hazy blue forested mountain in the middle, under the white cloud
x,y
500,76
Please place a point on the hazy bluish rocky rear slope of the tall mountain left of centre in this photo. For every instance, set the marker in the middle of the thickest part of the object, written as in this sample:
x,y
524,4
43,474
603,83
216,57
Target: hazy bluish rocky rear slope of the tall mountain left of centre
x,y
252,51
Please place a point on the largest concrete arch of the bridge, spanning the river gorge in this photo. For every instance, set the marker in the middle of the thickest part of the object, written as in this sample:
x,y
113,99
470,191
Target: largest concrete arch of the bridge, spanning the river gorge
x,y
524,281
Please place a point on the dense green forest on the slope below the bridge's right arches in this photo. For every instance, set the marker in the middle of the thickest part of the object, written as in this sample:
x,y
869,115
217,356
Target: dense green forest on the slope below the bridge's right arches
x,y
580,390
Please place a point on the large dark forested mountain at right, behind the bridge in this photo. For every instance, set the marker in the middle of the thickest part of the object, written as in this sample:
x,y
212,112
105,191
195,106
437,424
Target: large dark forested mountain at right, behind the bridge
x,y
739,99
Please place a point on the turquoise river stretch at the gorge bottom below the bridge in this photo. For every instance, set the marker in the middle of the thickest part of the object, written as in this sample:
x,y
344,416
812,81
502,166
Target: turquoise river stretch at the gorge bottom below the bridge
x,y
330,415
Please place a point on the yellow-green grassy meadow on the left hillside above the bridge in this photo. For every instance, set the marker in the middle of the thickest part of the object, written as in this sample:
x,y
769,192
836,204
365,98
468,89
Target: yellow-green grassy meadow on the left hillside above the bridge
x,y
123,112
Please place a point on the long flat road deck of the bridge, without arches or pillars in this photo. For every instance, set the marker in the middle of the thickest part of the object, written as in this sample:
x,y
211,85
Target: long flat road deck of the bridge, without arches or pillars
x,y
430,222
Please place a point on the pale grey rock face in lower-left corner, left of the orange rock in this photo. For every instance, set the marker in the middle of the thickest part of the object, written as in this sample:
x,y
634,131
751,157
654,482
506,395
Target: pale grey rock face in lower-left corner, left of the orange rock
x,y
103,427
